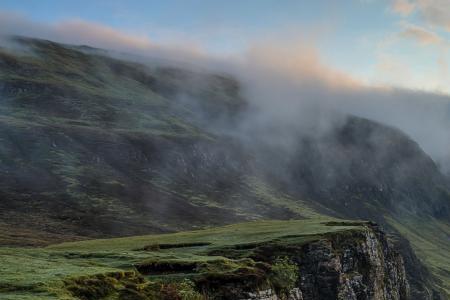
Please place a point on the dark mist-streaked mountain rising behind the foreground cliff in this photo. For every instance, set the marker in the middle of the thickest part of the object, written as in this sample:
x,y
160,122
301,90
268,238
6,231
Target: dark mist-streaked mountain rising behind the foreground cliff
x,y
94,146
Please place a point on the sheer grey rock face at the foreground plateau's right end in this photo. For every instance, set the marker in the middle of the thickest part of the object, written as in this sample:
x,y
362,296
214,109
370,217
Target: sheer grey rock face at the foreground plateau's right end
x,y
367,268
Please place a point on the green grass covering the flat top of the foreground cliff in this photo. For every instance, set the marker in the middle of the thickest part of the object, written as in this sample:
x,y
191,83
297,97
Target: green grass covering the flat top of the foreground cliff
x,y
39,273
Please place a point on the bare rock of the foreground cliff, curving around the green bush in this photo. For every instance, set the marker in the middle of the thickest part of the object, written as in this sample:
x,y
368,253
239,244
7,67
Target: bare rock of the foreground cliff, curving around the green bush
x,y
347,265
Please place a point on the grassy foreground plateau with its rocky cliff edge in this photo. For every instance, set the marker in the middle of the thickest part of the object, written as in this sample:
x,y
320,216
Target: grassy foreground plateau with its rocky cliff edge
x,y
238,261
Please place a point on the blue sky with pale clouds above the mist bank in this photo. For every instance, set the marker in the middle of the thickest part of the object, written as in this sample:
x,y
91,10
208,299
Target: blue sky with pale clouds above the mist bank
x,y
400,43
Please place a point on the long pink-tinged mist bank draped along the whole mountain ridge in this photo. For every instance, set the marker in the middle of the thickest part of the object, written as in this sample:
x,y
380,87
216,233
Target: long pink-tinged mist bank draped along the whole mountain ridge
x,y
290,90
